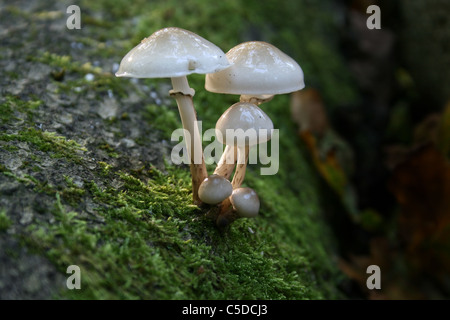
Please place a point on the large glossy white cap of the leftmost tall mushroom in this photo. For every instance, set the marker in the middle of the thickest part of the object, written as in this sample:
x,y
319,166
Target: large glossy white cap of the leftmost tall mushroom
x,y
172,52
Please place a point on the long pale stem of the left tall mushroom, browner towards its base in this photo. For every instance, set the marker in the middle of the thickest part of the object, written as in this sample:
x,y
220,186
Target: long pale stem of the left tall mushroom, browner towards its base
x,y
183,95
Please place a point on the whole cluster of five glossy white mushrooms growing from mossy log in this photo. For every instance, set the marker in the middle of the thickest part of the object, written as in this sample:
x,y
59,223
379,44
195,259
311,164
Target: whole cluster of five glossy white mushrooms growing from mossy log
x,y
254,70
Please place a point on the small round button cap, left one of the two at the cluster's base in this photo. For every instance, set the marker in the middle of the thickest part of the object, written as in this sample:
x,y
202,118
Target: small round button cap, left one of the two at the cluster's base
x,y
214,189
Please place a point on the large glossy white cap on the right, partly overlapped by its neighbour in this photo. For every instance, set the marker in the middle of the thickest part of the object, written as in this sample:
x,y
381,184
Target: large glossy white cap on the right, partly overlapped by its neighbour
x,y
258,68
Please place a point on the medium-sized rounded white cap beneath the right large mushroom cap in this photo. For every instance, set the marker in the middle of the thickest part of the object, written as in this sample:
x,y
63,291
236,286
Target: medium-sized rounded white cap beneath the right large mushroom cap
x,y
244,119
